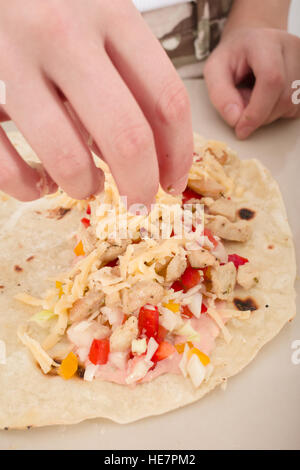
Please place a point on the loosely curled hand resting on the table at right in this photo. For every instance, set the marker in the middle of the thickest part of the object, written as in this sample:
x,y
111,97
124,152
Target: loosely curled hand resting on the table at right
x,y
273,56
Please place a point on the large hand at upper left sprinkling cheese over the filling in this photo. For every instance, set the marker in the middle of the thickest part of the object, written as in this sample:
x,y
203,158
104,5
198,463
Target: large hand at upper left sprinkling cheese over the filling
x,y
101,57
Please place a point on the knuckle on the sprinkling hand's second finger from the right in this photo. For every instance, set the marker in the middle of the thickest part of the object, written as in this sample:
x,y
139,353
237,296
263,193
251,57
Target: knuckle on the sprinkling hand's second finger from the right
x,y
133,140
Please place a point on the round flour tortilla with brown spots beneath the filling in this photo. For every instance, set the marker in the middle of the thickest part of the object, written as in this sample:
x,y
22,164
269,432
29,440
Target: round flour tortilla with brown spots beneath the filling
x,y
29,398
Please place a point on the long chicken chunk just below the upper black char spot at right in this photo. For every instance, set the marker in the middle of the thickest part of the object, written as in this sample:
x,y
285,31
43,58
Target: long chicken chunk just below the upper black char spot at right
x,y
239,231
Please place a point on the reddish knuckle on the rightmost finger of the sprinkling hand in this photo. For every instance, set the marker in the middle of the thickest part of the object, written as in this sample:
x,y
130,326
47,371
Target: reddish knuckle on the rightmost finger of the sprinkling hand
x,y
174,105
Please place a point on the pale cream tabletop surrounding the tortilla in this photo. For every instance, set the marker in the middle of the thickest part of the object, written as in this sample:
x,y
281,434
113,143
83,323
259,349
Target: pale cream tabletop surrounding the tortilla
x,y
261,407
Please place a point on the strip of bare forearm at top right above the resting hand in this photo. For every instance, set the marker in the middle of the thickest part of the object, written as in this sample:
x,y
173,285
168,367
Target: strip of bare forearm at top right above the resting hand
x,y
258,13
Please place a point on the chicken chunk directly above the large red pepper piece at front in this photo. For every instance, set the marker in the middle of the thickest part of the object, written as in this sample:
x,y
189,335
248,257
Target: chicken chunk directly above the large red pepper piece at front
x,y
143,292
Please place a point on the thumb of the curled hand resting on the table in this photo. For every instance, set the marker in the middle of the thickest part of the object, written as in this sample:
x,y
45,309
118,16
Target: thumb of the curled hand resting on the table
x,y
221,89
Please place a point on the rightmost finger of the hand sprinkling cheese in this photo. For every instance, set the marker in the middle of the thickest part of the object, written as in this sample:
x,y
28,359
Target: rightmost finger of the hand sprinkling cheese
x,y
156,86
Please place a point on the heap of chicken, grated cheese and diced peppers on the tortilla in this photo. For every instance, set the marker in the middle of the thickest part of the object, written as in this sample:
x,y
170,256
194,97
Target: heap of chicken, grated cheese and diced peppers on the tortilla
x,y
151,297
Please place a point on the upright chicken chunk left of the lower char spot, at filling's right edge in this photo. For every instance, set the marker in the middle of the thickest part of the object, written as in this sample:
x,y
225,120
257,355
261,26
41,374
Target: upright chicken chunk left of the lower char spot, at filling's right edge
x,y
223,280
